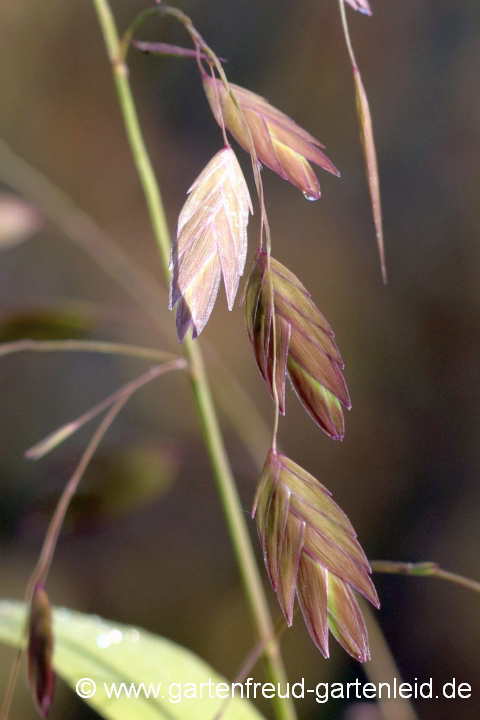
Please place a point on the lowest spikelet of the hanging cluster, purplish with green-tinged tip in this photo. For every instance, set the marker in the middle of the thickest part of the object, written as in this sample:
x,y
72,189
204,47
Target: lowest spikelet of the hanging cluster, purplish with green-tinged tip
x,y
311,551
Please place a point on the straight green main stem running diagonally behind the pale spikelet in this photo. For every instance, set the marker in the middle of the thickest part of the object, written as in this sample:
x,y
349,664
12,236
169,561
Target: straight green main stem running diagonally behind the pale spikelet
x,y
234,515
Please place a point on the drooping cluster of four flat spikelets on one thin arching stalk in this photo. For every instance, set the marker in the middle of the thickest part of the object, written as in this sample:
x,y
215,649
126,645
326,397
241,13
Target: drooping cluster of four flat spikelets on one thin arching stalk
x,y
288,333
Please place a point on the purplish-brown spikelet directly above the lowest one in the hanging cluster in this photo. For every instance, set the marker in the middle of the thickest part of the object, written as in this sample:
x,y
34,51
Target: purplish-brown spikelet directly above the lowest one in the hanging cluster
x,y
304,343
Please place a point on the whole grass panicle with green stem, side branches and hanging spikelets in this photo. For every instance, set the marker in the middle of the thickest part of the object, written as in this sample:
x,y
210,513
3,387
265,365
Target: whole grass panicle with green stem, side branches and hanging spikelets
x,y
310,548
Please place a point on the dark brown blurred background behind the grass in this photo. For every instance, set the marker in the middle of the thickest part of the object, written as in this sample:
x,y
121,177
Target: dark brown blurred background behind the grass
x,y
145,541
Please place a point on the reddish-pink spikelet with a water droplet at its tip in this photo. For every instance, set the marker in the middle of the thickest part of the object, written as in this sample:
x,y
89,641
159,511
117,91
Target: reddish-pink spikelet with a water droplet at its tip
x,y
279,142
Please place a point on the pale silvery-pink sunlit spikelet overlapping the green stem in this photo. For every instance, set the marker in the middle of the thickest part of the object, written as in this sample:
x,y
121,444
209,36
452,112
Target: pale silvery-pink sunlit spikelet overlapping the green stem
x,y
211,242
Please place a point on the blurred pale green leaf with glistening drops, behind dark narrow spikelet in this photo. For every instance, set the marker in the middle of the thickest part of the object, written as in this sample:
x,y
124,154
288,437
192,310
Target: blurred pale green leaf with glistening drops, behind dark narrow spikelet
x,y
102,652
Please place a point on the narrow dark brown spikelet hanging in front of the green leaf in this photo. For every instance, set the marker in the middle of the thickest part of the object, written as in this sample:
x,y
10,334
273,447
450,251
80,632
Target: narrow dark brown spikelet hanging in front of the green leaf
x,y
41,676
